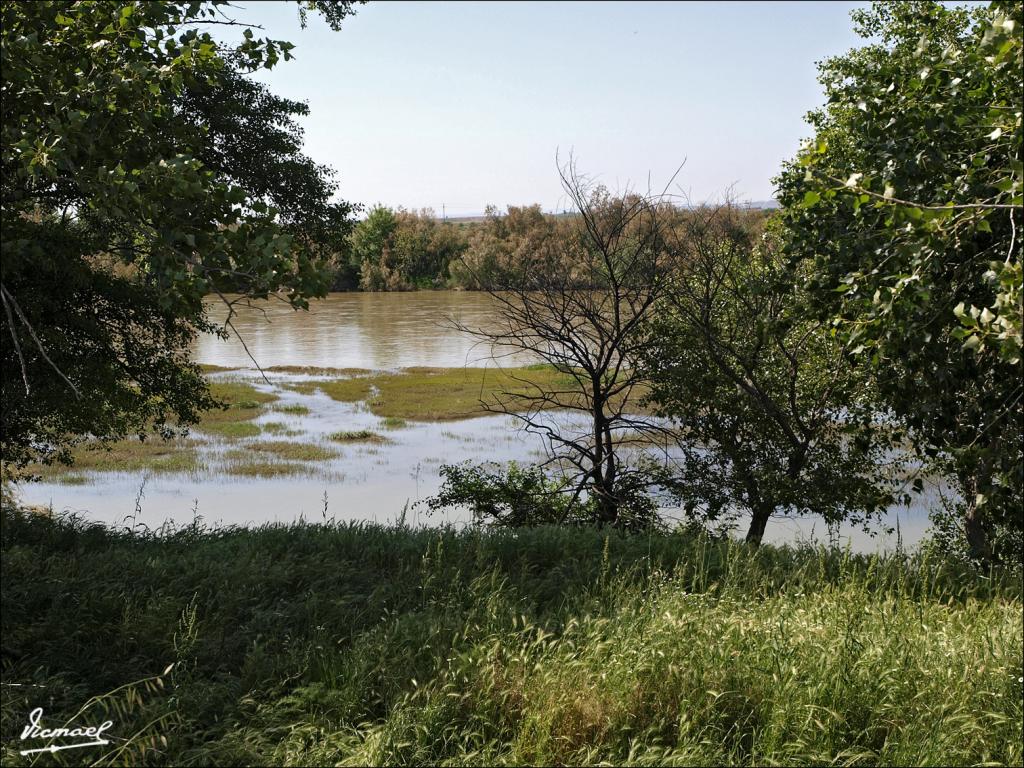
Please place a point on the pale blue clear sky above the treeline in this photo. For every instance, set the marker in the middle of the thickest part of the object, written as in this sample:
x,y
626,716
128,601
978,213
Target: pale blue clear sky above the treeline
x,y
455,106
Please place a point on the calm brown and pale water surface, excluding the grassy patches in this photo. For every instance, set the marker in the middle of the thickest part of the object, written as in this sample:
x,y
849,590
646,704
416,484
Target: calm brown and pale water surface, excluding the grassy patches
x,y
367,483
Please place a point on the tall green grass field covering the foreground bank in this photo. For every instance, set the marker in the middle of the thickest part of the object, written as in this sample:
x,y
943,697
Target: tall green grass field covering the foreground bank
x,y
359,645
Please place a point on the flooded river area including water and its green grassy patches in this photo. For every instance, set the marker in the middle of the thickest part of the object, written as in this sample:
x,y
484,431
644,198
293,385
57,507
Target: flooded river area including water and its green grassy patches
x,y
359,405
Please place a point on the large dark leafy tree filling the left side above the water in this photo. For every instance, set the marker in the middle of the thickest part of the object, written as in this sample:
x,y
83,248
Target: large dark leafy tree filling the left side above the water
x,y
143,170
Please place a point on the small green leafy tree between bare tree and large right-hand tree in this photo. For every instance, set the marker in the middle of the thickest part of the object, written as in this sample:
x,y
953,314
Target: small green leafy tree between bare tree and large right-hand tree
x,y
772,418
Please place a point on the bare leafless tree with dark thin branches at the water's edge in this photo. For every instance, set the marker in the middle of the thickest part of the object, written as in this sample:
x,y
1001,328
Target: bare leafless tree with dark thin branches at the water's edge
x,y
579,301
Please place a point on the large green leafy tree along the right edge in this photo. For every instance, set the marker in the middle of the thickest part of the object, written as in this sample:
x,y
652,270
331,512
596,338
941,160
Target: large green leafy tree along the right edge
x,y
906,207
